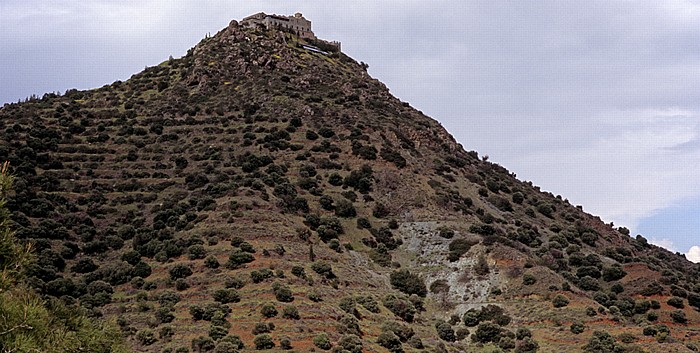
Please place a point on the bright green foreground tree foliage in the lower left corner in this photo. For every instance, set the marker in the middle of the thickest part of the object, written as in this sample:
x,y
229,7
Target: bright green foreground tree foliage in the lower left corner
x,y
31,324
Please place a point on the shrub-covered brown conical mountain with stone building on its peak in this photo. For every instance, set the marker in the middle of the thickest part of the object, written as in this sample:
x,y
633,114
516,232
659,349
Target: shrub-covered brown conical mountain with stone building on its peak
x,y
263,192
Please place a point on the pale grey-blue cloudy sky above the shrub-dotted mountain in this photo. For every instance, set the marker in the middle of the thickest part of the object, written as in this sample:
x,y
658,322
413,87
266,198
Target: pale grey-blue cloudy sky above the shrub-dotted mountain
x,y
597,101
